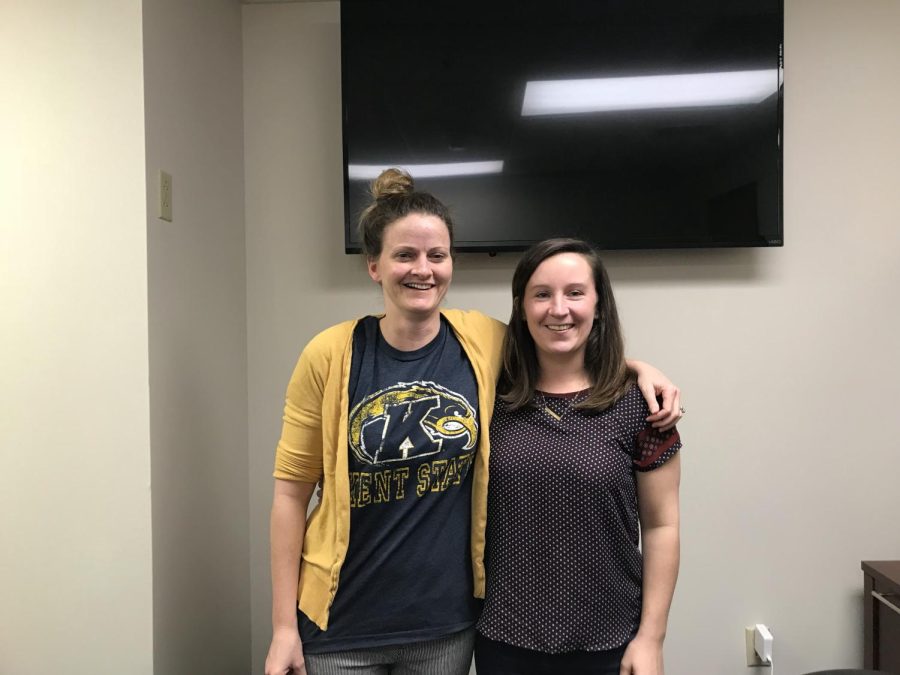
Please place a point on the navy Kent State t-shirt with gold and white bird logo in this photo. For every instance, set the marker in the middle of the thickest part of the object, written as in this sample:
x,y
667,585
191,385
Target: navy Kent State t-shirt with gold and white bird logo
x,y
412,435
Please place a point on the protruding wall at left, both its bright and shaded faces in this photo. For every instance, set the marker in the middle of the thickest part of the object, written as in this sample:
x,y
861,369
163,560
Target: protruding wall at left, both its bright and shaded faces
x,y
122,555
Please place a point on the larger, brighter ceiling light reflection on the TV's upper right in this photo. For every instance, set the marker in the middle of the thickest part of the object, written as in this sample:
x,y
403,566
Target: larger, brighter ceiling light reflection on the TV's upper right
x,y
566,97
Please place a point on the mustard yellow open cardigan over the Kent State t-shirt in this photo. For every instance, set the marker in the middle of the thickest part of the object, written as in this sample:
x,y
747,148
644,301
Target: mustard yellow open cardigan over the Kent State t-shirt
x,y
313,448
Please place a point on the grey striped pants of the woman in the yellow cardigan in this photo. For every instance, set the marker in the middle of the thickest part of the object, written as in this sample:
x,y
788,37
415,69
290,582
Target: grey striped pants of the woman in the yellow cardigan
x,y
451,655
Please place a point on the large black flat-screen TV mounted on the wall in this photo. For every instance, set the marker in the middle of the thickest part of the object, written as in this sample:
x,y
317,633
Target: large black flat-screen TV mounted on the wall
x,y
631,123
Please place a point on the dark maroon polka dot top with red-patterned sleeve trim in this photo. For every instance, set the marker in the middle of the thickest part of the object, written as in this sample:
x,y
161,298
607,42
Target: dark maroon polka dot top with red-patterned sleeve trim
x,y
562,556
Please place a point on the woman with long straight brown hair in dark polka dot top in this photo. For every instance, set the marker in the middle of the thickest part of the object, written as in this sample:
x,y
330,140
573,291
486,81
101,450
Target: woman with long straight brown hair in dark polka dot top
x,y
578,478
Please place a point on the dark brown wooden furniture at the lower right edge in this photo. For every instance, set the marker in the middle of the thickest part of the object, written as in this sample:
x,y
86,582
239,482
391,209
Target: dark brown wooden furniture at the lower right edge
x,y
882,615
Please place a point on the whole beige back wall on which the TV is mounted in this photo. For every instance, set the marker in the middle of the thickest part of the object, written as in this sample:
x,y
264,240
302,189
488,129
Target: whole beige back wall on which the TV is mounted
x,y
787,356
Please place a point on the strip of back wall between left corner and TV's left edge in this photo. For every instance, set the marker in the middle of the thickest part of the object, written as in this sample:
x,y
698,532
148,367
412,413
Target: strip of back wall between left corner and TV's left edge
x,y
293,196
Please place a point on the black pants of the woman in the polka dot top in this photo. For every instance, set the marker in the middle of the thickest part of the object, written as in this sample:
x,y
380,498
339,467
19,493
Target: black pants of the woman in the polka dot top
x,y
499,658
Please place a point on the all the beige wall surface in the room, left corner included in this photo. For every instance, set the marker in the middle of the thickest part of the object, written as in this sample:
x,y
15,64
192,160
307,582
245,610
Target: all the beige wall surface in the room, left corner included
x,y
787,356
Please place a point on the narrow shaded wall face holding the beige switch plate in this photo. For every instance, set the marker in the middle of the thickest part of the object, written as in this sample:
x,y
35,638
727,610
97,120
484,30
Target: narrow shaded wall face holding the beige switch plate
x,y
197,317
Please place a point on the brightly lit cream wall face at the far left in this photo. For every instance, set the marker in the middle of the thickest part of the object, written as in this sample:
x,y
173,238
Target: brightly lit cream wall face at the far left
x,y
75,572
